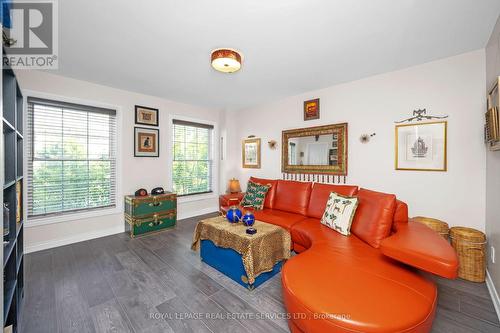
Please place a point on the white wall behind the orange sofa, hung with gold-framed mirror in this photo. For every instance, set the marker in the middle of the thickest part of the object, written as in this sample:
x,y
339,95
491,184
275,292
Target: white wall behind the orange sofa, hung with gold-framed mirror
x,y
452,86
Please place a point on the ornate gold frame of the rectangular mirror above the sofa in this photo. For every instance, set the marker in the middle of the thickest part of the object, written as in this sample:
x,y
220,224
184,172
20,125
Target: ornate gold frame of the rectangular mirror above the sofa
x,y
340,169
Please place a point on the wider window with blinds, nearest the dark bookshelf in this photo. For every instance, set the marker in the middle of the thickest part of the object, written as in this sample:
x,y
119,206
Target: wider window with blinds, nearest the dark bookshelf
x,y
71,157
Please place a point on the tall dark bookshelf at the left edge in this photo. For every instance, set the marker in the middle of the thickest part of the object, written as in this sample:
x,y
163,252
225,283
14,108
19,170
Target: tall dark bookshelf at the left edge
x,y
13,252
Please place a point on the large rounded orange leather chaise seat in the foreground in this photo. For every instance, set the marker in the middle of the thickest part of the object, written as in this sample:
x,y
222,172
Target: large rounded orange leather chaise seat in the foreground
x,y
326,290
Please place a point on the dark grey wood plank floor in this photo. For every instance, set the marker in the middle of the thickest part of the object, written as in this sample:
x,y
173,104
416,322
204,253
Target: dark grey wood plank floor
x,y
157,284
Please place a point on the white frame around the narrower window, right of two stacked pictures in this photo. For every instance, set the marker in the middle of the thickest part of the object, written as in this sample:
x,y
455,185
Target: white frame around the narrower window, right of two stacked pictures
x,y
215,159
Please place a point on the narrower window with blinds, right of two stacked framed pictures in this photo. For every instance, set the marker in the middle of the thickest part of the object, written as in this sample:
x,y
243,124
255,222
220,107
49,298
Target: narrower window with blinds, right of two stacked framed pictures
x,y
192,158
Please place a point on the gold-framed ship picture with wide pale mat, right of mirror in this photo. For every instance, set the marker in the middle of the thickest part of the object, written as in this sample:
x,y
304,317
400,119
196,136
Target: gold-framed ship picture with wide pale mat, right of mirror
x,y
421,147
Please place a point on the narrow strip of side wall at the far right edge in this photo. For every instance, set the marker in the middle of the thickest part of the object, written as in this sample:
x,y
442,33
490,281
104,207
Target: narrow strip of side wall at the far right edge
x,y
493,165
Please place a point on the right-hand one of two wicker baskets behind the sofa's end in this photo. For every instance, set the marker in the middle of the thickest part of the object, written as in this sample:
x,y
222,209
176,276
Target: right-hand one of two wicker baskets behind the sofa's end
x,y
470,245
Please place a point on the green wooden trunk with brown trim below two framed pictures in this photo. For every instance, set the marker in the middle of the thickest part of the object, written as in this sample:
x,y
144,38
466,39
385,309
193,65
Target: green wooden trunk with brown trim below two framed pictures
x,y
150,213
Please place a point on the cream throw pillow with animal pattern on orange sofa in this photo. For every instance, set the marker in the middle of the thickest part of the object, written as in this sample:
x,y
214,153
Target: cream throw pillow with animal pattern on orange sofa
x,y
339,213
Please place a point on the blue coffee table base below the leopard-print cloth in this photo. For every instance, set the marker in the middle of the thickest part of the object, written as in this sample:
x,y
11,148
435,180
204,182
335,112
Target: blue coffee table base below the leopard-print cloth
x,y
228,262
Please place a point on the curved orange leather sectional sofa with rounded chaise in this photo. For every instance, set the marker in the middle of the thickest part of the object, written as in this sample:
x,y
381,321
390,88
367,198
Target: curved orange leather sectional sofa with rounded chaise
x,y
370,281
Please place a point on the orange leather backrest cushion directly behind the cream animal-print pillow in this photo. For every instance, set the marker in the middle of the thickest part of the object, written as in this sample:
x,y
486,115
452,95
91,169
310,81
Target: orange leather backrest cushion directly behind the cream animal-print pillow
x,y
321,192
